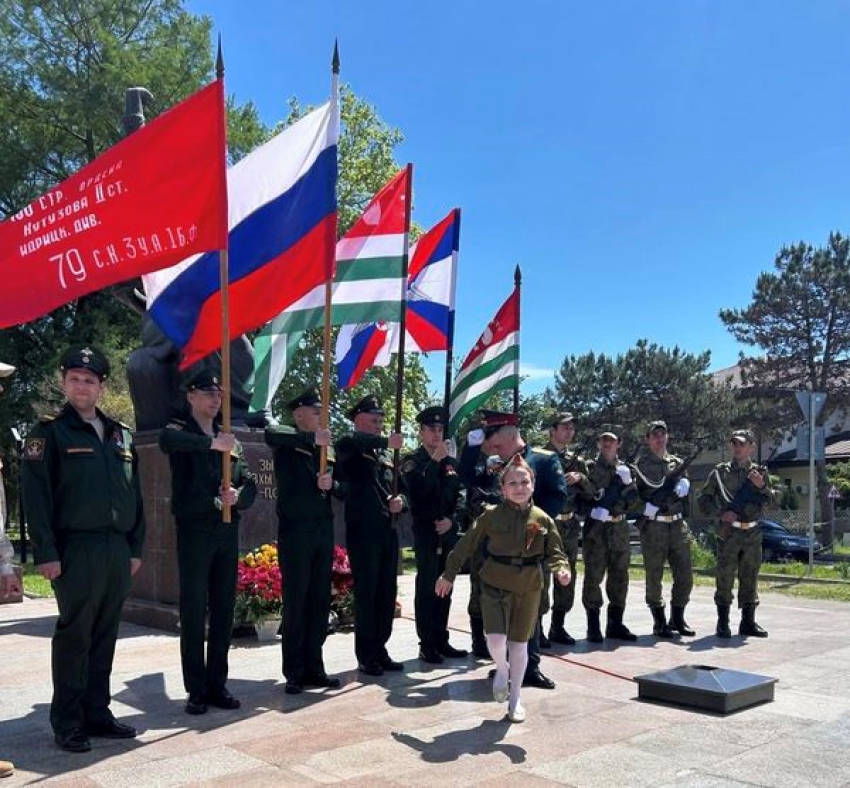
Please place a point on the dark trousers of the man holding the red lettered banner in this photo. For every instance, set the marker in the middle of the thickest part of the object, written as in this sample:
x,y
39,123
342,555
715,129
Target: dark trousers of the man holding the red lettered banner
x,y
206,557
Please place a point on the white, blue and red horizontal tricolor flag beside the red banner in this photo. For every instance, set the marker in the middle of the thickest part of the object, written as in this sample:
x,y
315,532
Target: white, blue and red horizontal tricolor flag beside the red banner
x,y
282,220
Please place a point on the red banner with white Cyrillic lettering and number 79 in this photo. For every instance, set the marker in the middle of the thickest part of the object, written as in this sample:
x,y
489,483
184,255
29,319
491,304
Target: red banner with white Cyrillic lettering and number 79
x,y
155,198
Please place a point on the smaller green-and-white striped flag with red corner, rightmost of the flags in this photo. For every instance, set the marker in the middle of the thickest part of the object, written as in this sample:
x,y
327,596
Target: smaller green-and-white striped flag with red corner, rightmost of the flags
x,y
492,365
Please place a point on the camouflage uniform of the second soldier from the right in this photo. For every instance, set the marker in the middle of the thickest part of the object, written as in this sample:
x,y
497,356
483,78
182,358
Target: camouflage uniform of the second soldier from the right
x,y
664,538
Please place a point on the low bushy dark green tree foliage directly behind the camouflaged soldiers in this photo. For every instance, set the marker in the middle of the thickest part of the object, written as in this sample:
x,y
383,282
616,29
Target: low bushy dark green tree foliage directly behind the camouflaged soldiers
x,y
647,382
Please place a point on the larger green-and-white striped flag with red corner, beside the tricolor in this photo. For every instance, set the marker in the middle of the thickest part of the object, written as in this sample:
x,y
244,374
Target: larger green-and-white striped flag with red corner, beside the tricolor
x,y
367,286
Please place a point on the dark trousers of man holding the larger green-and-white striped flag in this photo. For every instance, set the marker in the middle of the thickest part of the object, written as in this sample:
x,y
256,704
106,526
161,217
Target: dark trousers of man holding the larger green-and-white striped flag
x,y
373,553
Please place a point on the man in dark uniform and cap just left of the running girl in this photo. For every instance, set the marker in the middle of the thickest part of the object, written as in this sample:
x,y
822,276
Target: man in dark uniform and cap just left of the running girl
x,y
438,504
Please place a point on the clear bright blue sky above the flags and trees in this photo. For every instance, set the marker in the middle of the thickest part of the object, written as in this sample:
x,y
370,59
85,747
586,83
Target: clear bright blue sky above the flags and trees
x,y
642,161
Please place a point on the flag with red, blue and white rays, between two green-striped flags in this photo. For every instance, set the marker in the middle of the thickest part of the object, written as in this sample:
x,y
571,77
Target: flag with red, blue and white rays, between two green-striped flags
x,y
431,285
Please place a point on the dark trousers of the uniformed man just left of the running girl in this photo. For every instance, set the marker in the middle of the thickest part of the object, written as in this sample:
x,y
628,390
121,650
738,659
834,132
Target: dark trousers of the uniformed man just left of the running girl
x,y
431,611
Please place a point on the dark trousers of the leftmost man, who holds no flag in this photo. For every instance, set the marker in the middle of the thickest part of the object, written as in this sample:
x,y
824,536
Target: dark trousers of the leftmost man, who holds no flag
x,y
90,593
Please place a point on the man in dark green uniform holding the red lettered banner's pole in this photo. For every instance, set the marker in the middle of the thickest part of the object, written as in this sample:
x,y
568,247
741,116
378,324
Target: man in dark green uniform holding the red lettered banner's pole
x,y
207,547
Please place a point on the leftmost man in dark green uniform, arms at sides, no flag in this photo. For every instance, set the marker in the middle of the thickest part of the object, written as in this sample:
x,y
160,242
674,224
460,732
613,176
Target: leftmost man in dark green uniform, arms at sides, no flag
x,y
84,509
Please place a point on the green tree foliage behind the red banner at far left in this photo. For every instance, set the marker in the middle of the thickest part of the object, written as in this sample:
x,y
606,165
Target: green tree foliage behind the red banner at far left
x,y
64,68
